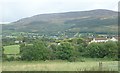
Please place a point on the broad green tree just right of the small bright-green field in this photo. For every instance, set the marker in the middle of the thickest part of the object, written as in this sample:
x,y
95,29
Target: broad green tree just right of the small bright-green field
x,y
37,51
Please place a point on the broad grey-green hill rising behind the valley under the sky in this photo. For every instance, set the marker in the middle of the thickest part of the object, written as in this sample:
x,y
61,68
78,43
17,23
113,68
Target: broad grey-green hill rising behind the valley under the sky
x,y
92,21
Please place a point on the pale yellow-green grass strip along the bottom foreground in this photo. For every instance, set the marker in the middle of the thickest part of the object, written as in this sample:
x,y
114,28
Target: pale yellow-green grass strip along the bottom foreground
x,y
59,66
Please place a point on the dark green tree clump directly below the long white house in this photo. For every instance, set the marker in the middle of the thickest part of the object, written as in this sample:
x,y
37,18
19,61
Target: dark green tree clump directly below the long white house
x,y
101,50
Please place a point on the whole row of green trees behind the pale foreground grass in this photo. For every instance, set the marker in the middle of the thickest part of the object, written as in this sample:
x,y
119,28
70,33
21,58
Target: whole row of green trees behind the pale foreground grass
x,y
67,49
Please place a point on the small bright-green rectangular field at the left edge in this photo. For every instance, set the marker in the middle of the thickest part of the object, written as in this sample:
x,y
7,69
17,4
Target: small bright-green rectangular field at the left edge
x,y
12,49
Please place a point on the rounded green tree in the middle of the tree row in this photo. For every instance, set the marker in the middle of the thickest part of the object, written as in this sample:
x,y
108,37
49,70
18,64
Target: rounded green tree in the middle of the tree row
x,y
66,52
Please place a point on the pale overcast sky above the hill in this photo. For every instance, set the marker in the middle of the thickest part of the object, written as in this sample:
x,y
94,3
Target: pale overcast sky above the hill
x,y
13,10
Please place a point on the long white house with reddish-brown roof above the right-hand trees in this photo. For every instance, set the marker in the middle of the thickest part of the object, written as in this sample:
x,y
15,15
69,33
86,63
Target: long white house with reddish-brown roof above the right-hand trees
x,y
98,40
